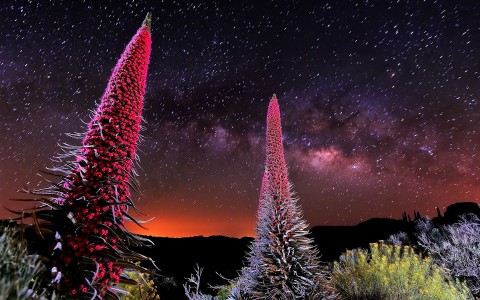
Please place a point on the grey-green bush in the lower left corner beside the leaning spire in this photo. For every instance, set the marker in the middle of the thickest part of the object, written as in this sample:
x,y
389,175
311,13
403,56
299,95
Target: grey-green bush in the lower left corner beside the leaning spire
x,y
18,270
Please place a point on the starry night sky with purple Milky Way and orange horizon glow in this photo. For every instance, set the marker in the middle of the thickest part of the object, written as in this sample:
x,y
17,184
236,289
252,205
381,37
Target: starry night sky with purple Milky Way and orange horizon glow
x,y
380,103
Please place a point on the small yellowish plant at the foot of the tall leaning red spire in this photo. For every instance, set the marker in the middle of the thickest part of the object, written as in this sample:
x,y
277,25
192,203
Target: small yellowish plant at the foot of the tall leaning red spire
x,y
144,289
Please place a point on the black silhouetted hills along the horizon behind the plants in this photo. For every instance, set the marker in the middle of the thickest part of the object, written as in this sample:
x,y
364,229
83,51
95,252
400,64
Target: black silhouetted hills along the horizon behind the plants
x,y
177,257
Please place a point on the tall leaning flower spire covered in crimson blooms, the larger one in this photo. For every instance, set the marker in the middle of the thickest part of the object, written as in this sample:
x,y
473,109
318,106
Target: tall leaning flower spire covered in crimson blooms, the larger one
x,y
81,222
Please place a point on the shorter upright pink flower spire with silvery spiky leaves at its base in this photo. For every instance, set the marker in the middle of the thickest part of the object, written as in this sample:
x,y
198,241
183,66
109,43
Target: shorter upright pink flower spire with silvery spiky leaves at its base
x,y
282,263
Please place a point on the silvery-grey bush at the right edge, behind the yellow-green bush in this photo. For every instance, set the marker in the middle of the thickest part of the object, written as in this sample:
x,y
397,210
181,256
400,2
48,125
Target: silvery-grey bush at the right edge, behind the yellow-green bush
x,y
455,247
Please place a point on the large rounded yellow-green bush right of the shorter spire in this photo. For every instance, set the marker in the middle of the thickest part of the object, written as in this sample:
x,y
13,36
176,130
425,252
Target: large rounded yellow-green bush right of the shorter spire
x,y
393,273
